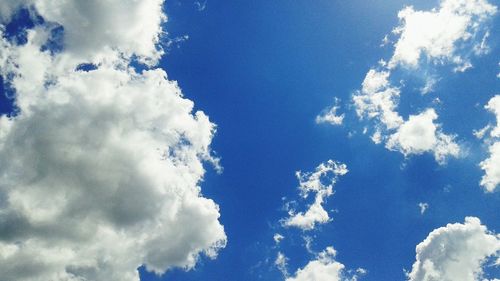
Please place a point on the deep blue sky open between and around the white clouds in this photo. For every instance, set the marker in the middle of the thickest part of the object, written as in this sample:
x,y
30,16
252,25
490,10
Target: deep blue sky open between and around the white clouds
x,y
262,71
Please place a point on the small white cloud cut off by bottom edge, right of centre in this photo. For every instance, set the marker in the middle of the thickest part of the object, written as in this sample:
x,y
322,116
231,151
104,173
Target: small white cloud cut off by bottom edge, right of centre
x,y
325,268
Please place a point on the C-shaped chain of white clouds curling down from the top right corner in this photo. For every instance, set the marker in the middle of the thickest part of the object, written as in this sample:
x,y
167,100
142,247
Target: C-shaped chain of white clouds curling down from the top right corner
x,y
447,35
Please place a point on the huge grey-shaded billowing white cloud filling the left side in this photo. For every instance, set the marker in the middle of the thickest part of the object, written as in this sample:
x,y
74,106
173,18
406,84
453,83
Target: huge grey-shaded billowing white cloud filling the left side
x,y
100,170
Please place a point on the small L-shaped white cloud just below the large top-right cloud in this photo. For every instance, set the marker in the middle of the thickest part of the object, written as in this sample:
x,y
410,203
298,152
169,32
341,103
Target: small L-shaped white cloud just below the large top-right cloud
x,y
378,100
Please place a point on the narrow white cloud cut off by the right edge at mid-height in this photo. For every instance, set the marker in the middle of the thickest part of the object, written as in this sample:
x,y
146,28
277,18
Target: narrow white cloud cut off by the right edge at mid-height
x,y
491,165
